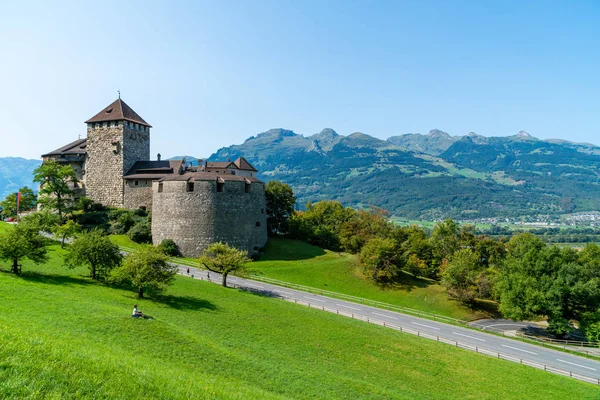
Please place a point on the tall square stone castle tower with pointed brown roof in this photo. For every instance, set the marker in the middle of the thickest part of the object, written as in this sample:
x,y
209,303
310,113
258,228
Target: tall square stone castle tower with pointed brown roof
x,y
117,137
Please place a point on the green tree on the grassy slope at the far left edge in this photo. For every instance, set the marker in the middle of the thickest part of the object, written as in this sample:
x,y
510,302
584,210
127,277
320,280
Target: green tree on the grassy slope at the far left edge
x,y
22,242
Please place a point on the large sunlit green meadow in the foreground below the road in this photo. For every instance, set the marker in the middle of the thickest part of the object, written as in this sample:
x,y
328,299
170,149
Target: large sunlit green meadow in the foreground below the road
x,y
63,336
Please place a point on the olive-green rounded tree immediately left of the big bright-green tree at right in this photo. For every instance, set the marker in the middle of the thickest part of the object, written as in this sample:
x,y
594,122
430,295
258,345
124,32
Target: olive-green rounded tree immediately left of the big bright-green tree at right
x,y
460,275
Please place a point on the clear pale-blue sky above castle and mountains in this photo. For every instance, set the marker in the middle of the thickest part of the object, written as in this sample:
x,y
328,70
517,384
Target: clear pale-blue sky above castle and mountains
x,y
208,74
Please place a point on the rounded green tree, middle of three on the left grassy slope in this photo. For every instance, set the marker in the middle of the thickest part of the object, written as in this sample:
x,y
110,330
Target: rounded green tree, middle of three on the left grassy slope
x,y
95,251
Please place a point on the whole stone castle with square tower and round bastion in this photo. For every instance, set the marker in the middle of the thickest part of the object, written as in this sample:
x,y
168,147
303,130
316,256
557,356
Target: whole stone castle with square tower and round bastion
x,y
192,205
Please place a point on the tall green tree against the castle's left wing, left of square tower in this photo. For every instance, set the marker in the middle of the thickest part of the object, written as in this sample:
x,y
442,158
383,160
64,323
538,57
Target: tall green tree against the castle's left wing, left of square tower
x,y
54,179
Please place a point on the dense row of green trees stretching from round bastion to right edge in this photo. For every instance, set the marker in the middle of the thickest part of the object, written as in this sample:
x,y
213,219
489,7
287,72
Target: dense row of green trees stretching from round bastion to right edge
x,y
529,278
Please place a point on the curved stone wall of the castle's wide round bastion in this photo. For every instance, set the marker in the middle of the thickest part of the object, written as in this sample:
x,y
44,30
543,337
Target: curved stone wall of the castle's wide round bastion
x,y
194,220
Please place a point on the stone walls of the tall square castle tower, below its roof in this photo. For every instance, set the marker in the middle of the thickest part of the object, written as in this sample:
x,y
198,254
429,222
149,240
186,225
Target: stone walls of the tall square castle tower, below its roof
x,y
112,151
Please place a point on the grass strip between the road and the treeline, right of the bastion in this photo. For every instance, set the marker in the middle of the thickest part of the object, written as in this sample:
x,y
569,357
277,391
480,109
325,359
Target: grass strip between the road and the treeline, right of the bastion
x,y
297,262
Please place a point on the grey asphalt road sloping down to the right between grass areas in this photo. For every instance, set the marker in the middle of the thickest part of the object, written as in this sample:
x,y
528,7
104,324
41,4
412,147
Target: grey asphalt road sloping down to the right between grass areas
x,y
478,340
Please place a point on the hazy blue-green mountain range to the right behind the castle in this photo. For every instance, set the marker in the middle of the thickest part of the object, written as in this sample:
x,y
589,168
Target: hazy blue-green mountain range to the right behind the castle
x,y
474,177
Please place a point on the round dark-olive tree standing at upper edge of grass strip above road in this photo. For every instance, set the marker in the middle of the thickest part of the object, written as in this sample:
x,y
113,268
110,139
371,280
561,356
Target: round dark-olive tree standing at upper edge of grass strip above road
x,y
380,259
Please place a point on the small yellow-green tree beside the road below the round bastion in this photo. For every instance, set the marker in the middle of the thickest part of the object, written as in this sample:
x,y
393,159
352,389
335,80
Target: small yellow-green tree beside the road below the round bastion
x,y
222,259
